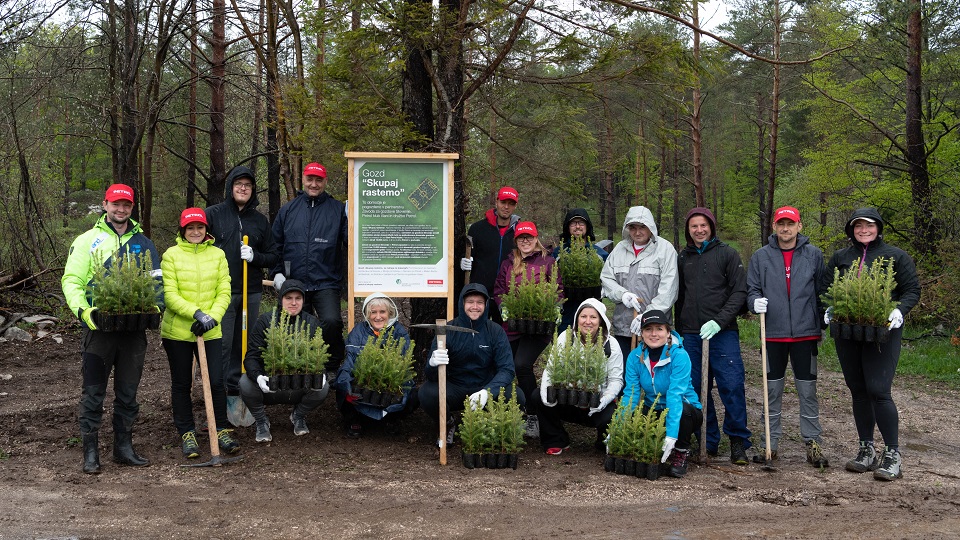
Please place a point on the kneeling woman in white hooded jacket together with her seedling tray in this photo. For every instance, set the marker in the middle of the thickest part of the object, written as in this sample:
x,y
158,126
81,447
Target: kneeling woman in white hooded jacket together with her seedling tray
x,y
586,362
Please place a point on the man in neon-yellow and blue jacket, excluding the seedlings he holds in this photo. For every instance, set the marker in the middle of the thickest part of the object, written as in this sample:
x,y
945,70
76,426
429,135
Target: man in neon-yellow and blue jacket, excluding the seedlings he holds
x,y
113,236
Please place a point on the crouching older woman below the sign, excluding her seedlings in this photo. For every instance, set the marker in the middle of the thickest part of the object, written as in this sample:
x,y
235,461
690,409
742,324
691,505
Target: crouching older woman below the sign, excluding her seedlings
x,y
379,316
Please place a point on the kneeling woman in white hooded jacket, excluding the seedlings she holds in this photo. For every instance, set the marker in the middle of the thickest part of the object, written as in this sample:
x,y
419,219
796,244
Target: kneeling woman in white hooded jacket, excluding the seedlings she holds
x,y
590,326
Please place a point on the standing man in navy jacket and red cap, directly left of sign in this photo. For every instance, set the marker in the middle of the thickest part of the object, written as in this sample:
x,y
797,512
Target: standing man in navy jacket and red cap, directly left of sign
x,y
311,235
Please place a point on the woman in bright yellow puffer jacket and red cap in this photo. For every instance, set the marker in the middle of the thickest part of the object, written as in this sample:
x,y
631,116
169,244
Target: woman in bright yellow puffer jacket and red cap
x,y
198,293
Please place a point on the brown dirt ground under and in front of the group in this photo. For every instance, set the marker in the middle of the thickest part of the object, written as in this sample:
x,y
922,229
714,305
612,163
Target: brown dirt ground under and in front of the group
x,y
324,485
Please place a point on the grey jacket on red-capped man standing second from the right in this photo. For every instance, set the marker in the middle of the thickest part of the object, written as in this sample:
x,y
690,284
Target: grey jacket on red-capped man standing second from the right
x,y
798,314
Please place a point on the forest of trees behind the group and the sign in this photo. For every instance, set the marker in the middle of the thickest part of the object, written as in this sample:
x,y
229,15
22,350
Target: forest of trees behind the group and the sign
x,y
823,105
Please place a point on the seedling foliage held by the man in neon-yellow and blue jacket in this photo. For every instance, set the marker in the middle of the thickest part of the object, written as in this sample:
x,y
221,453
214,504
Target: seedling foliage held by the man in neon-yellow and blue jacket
x,y
126,286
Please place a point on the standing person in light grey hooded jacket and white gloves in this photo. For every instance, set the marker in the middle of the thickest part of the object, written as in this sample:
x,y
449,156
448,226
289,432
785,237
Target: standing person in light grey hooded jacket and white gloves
x,y
640,274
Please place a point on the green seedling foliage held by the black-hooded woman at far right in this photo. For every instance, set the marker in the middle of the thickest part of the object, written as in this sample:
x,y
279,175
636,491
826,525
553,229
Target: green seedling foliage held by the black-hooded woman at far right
x,y
863,297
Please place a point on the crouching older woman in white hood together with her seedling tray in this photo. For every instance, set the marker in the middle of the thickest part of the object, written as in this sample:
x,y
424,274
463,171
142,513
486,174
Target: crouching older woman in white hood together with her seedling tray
x,y
376,380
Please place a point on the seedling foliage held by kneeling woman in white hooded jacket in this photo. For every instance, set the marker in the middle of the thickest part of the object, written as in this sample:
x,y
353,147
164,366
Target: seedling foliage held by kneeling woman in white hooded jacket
x,y
574,363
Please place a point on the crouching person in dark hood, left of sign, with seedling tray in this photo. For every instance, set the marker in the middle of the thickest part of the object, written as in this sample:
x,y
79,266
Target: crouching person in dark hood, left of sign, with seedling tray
x,y
285,341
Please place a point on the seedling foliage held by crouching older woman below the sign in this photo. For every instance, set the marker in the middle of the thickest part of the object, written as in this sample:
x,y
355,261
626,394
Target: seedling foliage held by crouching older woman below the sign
x,y
382,364
